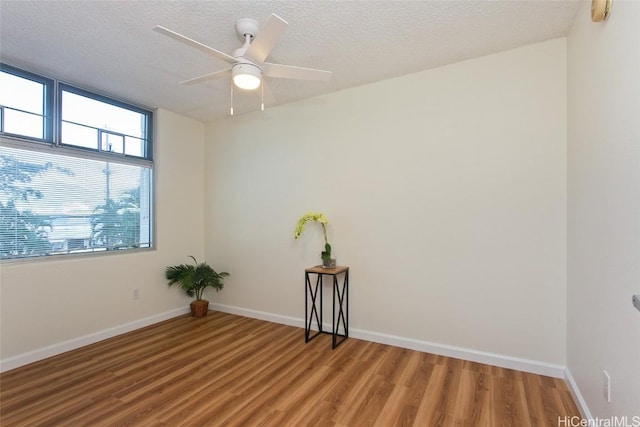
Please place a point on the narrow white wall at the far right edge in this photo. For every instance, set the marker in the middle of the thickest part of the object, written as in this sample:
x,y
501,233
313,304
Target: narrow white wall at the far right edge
x,y
604,207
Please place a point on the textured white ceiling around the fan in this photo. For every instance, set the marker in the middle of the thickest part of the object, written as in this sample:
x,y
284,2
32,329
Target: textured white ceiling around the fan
x,y
108,46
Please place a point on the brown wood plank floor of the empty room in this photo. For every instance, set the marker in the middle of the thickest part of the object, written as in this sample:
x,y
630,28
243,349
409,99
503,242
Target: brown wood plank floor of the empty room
x,y
230,370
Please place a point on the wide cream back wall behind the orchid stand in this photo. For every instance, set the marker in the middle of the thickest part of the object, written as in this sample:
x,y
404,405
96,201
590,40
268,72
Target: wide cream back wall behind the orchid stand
x,y
446,195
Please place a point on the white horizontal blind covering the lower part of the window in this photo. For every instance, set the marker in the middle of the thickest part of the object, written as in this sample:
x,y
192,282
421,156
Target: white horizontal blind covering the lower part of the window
x,y
52,204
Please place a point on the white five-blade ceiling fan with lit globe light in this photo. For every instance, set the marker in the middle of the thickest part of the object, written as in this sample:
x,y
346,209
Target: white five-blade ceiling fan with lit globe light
x,y
248,66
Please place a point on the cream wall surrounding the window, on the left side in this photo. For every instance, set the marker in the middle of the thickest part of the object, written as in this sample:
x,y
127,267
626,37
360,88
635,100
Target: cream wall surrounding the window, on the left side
x,y
47,302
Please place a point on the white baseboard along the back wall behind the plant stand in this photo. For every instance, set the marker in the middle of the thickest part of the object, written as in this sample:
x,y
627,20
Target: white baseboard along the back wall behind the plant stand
x,y
503,361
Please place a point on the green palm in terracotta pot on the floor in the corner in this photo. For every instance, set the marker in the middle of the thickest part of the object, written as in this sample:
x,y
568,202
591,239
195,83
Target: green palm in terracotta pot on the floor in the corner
x,y
194,279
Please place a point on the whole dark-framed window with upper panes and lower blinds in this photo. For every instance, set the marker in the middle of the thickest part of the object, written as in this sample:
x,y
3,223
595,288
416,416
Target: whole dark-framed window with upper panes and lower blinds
x,y
86,187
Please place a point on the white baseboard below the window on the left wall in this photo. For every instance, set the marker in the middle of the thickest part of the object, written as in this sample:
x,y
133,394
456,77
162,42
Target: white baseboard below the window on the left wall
x,y
72,344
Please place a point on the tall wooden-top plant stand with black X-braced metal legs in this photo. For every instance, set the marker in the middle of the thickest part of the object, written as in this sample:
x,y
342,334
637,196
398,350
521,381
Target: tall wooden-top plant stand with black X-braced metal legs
x,y
313,303
